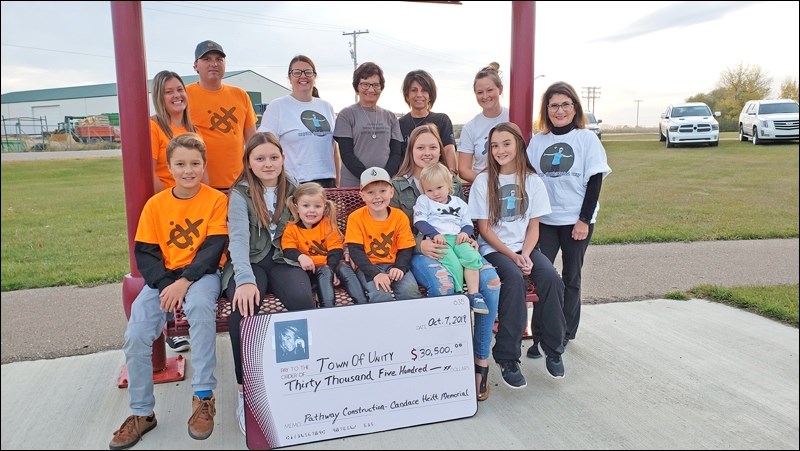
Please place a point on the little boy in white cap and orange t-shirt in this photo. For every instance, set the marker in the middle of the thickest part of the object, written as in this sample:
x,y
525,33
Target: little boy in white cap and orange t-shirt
x,y
380,241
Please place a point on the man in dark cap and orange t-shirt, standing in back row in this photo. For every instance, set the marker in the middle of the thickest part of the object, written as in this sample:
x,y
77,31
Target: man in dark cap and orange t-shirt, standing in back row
x,y
223,115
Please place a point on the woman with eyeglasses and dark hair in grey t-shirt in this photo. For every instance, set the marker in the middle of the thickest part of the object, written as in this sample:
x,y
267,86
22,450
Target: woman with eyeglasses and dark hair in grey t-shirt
x,y
368,135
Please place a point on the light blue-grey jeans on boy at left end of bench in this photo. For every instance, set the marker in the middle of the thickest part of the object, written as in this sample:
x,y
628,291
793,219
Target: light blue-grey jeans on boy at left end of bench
x,y
146,324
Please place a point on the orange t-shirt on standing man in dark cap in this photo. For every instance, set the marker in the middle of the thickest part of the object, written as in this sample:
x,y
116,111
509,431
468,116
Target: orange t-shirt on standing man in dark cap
x,y
221,117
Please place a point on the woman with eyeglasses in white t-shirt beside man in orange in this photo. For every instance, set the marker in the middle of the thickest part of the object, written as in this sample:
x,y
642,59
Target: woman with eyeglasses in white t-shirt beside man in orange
x,y
304,125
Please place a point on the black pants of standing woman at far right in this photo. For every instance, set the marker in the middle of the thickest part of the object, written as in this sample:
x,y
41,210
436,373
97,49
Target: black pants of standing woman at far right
x,y
551,239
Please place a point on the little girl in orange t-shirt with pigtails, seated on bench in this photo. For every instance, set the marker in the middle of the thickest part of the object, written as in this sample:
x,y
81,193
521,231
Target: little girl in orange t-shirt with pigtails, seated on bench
x,y
312,239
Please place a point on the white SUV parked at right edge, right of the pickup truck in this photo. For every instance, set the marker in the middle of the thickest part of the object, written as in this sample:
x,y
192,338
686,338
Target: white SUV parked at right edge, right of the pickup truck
x,y
765,120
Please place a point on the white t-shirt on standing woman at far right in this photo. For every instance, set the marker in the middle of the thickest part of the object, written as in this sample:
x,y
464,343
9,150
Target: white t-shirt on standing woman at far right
x,y
565,163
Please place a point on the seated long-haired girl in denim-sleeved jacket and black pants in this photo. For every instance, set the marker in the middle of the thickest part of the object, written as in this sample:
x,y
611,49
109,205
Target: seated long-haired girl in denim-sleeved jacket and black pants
x,y
257,216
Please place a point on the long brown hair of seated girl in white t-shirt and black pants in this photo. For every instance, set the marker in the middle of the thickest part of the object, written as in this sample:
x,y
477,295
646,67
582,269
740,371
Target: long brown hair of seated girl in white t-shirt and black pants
x,y
523,168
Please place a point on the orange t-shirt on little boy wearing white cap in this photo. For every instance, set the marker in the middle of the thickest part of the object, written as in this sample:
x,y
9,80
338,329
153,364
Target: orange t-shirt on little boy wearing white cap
x,y
381,239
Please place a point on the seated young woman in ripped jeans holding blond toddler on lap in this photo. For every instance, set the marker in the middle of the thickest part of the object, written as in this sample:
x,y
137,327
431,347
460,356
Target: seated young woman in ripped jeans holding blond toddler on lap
x,y
425,149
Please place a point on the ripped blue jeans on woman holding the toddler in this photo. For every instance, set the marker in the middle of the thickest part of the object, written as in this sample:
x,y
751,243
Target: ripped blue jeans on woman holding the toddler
x,y
437,280
